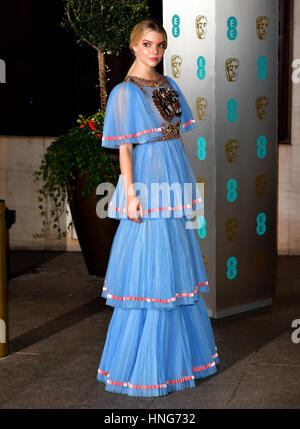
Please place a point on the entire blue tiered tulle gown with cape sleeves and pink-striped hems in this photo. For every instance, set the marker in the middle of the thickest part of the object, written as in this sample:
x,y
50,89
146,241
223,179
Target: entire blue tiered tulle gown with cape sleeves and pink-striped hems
x,y
159,337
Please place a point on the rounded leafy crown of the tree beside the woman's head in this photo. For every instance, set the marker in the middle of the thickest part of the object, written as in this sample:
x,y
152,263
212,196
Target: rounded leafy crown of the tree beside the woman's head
x,y
104,24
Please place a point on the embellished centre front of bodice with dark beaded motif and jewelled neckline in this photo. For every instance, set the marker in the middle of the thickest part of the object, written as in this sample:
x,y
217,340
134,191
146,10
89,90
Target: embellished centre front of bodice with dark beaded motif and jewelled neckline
x,y
164,102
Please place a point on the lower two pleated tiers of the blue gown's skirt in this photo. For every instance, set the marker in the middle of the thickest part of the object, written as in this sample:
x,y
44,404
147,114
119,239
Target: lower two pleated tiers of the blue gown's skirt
x,y
159,338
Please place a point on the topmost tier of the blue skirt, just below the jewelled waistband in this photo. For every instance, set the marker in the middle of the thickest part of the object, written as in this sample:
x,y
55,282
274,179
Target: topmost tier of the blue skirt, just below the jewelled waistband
x,y
163,180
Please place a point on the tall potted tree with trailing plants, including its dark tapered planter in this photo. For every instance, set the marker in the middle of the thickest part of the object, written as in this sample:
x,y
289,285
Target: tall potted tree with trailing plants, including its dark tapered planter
x,y
75,163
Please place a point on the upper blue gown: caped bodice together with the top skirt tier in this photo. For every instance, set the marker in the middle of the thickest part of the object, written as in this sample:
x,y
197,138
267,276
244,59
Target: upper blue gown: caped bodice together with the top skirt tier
x,y
141,111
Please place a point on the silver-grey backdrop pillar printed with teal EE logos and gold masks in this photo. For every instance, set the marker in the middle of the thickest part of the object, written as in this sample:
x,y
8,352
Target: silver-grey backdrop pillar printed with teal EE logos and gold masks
x,y
223,55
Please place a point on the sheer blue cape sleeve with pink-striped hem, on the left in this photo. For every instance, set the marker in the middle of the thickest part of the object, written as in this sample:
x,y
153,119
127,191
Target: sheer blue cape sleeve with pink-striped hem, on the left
x,y
128,118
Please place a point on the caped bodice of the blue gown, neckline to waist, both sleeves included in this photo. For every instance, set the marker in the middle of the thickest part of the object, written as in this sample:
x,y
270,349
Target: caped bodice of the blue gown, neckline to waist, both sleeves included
x,y
141,111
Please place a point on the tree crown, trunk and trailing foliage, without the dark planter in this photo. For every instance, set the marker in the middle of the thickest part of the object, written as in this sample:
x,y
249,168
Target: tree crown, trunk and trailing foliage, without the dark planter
x,y
105,25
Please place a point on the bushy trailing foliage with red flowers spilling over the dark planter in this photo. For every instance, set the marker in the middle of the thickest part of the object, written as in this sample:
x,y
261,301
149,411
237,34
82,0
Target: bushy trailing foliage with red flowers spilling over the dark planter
x,y
78,151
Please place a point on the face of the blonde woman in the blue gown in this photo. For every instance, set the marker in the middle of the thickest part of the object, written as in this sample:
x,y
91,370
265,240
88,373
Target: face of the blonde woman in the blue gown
x,y
150,49
